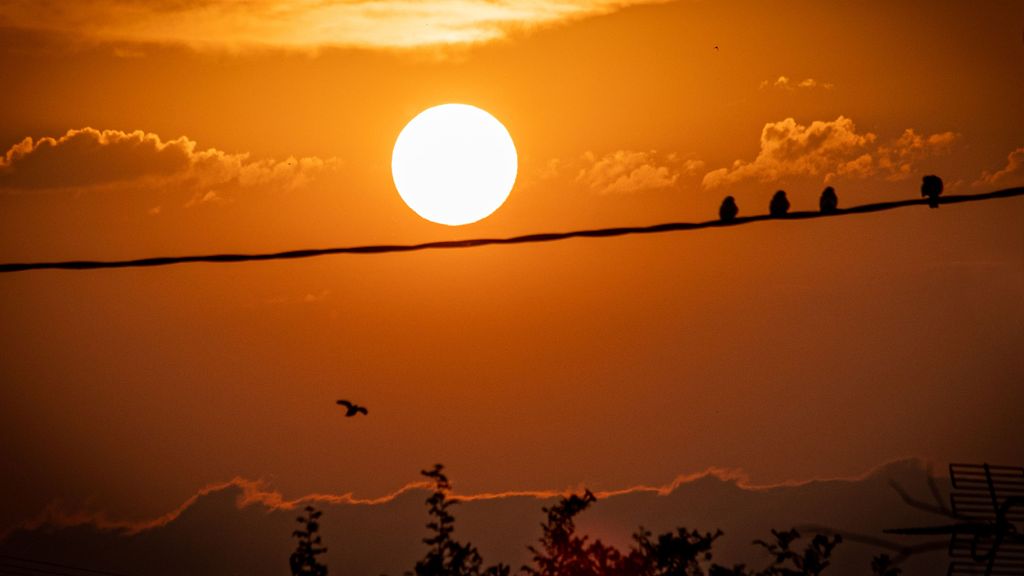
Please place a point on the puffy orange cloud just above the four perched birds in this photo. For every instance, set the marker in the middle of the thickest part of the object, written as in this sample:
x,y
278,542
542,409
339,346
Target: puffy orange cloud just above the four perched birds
x,y
831,150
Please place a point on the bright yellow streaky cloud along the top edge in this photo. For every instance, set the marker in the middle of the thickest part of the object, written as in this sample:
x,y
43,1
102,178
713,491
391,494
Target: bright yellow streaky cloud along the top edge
x,y
300,24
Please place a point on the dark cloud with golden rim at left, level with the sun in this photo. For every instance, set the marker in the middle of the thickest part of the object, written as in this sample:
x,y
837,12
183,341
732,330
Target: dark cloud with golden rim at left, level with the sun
x,y
90,159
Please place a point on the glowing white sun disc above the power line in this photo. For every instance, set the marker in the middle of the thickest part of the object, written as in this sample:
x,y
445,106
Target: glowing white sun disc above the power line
x,y
454,164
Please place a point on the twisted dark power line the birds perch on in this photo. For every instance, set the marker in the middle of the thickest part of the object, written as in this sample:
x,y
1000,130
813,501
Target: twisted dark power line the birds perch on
x,y
473,243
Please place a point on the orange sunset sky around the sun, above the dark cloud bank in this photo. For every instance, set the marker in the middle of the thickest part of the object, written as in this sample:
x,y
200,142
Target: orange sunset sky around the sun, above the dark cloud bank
x,y
785,351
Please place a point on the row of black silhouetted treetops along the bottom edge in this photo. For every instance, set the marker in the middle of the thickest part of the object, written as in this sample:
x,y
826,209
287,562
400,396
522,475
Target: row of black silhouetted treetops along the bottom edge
x,y
561,552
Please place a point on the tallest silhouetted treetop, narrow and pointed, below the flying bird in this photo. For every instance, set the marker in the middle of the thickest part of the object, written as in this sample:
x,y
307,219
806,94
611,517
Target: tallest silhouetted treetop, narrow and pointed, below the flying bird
x,y
448,557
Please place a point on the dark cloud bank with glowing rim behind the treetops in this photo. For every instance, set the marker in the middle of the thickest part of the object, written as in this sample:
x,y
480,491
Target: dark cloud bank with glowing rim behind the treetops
x,y
243,527
